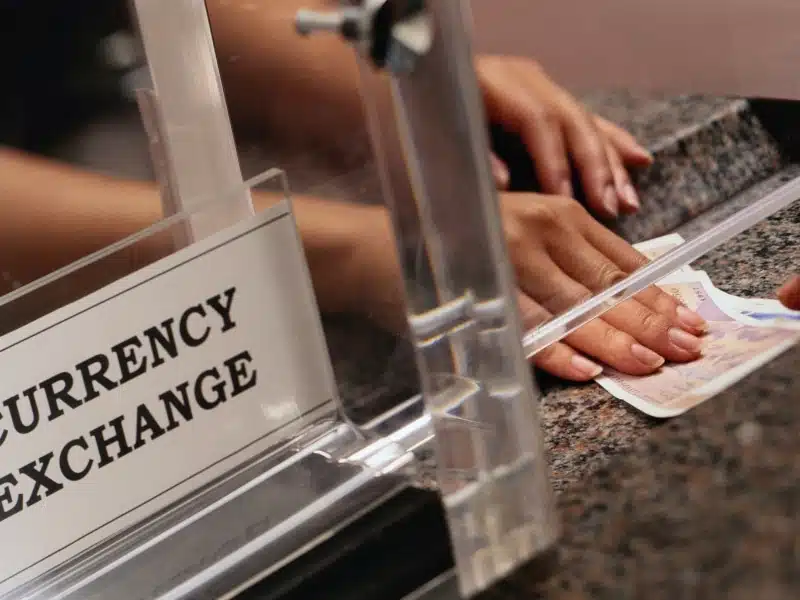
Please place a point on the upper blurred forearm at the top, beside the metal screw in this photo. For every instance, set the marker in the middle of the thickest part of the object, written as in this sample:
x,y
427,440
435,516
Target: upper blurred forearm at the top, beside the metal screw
x,y
279,82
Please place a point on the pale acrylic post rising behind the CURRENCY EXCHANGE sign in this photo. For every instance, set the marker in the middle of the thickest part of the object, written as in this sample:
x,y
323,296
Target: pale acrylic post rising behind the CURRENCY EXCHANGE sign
x,y
196,130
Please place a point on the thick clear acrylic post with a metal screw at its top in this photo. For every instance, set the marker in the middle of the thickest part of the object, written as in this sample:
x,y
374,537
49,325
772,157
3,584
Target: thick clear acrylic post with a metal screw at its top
x,y
431,139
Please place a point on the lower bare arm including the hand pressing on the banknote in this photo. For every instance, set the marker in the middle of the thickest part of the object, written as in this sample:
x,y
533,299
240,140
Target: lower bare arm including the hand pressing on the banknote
x,y
51,215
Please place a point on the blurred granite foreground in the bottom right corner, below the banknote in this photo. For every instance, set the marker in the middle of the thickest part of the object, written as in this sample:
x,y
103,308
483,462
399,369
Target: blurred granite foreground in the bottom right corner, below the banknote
x,y
705,508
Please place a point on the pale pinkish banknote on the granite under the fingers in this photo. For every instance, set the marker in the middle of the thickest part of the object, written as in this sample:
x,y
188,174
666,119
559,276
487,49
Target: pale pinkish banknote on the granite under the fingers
x,y
731,350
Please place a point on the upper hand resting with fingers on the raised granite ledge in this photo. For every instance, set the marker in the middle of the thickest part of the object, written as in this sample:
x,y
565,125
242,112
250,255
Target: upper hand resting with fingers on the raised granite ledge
x,y
557,130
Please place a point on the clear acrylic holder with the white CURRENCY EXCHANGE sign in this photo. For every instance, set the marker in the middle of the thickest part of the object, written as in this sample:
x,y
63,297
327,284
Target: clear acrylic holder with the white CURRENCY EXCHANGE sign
x,y
213,528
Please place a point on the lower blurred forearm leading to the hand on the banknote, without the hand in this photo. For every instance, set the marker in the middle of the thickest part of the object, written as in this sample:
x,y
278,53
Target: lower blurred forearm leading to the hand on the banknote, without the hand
x,y
52,215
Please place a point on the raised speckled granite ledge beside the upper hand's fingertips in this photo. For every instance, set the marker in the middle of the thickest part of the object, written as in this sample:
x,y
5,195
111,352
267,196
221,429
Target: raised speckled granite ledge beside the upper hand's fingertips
x,y
707,150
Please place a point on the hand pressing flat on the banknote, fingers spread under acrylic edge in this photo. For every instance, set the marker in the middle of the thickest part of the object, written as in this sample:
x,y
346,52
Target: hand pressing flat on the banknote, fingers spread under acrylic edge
x,y
562,256
